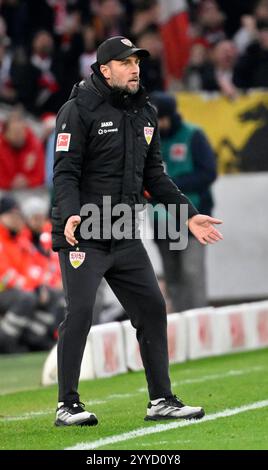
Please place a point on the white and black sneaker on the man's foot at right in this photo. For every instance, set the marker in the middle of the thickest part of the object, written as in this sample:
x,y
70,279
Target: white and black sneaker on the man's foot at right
x,y
172,408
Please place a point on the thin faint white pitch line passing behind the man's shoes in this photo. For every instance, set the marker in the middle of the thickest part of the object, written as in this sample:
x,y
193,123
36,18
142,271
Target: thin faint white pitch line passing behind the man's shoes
x,y
204,378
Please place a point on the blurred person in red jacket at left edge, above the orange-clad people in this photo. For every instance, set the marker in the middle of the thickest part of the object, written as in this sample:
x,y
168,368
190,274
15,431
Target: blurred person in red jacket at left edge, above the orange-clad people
x,y
21,155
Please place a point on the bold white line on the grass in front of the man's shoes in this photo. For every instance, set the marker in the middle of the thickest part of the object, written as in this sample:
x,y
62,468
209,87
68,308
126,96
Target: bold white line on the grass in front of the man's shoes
x,y
166,427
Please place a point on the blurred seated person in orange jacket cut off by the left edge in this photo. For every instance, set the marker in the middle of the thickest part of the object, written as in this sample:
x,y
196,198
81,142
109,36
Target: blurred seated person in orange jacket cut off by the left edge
x,y
17,298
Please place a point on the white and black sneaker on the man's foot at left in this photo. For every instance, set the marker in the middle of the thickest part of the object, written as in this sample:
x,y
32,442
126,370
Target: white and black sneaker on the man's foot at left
x,y
74,415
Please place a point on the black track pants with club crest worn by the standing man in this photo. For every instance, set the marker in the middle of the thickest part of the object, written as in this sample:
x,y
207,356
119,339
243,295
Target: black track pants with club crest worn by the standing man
x,y
128,270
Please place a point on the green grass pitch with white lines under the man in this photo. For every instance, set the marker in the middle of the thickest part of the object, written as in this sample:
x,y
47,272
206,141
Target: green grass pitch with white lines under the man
x,y
218,384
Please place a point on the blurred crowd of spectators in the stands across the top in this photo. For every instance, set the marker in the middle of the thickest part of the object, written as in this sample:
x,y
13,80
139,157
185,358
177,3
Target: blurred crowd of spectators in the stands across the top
x,y
48,45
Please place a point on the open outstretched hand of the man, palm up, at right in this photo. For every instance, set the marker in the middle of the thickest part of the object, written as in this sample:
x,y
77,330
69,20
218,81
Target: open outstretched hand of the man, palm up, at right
x,y
203,229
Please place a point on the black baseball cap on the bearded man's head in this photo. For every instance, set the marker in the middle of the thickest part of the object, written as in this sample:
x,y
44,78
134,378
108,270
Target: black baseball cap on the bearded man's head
x,y
118,48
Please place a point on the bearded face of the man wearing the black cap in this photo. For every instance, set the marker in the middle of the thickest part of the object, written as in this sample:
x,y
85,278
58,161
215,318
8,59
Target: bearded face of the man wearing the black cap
x,y
123,74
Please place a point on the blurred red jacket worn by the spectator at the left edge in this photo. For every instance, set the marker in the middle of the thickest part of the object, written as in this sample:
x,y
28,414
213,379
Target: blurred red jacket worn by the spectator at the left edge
x,y
27,161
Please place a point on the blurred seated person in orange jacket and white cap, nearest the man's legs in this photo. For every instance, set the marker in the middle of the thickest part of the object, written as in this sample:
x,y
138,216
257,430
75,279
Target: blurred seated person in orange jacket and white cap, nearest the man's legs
x,y
36,239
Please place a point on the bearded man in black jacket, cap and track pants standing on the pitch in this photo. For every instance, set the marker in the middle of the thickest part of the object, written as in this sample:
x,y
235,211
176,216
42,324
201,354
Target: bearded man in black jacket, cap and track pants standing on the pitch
x,y
107,146
